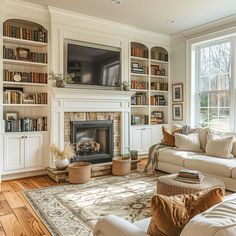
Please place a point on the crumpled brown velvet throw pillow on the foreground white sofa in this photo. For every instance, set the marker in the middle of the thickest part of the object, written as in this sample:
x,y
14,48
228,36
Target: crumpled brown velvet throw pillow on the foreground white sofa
x,y
171,214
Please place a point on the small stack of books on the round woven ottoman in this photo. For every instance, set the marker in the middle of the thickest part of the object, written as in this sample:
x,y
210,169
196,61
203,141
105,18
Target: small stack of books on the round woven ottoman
x,y
190,176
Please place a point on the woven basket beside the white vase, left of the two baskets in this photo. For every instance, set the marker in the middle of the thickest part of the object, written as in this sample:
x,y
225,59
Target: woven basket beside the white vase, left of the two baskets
x,y
79,172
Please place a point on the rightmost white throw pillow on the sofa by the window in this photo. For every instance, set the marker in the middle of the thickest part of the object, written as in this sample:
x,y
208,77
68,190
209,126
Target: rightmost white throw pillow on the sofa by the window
x,y
219,146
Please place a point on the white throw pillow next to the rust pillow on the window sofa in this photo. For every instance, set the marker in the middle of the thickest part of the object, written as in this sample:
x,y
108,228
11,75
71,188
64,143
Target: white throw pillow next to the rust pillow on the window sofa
x,y
189,142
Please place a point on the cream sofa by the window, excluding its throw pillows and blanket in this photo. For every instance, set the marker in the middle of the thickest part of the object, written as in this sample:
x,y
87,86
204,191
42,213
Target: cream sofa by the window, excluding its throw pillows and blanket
x,y
171,160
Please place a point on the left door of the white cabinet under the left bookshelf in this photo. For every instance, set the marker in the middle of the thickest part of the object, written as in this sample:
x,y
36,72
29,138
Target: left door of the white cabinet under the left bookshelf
x,y
13,152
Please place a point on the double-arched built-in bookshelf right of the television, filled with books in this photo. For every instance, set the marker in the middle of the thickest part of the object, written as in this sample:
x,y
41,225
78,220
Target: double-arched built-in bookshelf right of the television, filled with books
x,y
149,80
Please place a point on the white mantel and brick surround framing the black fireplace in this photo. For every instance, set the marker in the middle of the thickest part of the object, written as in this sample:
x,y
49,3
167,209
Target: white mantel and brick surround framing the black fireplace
x,y
70,104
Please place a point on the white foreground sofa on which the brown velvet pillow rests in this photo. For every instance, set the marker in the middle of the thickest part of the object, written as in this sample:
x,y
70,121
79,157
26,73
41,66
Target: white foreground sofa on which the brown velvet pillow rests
x,y
220,220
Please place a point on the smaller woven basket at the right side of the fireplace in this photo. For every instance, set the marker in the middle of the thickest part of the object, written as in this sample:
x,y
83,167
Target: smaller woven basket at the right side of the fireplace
x,y
121,166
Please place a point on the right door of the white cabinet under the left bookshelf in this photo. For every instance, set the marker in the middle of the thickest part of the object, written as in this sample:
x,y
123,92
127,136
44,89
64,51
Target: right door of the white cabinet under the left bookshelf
x,y
34,151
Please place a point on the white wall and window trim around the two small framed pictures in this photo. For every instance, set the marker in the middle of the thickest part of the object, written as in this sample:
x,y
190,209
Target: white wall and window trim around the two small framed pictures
x,y
180,59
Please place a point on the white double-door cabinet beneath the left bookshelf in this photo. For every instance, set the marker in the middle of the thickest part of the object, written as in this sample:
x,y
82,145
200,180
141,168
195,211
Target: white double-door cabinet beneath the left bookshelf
x,y
22,152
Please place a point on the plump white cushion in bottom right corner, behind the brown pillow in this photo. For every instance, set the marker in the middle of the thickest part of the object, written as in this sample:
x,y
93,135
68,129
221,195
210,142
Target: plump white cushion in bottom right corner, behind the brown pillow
x,y
219,220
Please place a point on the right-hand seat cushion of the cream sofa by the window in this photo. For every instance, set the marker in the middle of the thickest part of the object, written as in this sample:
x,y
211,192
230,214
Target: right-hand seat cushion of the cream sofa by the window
x,y
211,165
